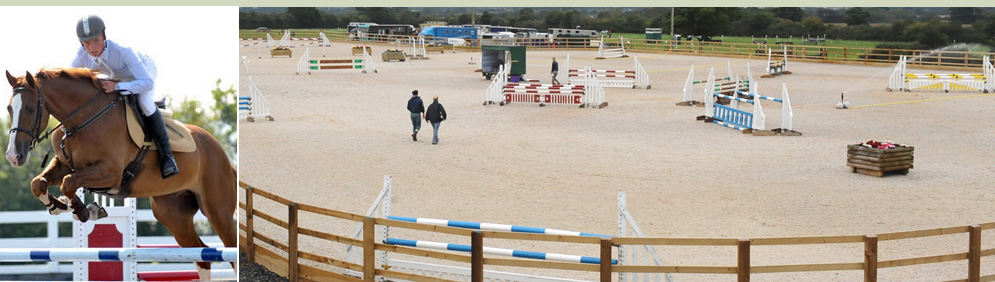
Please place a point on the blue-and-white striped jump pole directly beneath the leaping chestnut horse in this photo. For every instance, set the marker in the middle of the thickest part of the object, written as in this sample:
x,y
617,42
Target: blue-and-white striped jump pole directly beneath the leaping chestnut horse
x,y
120,254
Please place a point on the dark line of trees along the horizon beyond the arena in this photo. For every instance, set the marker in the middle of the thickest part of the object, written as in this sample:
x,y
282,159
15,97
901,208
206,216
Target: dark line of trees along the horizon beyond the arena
x,y
924,28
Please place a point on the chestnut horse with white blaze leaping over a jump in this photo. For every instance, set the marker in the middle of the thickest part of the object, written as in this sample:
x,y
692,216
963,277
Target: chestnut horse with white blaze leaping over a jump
x,y
92,148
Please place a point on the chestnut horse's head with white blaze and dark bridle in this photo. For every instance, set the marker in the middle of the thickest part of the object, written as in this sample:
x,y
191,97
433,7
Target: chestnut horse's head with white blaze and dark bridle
x,y
28,117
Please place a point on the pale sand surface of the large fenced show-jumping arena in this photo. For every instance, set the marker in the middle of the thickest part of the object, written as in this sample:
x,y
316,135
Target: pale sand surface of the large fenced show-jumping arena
x,y
337,133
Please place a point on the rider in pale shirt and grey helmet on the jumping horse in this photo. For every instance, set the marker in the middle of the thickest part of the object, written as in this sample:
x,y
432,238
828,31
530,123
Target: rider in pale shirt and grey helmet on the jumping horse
x,y
128,70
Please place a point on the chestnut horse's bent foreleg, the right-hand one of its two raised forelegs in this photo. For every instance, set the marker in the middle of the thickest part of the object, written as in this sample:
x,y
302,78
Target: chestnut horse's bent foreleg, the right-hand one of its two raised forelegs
x,y
99,174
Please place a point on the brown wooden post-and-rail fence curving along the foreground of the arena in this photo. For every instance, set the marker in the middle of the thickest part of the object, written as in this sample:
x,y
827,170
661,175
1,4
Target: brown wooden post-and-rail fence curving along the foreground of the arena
x,y
289,265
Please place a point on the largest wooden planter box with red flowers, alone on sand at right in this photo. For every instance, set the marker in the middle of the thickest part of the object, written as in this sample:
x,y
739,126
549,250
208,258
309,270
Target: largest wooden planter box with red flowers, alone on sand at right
x,y
878,162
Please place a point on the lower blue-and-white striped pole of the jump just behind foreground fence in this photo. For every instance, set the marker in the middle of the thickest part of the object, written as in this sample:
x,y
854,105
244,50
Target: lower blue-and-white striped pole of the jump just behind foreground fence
x,y
496,251
